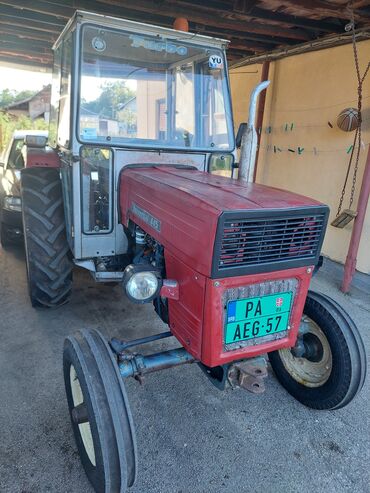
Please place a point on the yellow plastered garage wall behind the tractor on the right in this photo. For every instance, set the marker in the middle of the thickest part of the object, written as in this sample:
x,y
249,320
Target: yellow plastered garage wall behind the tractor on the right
x,y
307,91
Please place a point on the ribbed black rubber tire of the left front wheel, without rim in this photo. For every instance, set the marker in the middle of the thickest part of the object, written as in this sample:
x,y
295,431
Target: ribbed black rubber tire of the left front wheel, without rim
x,y
108,412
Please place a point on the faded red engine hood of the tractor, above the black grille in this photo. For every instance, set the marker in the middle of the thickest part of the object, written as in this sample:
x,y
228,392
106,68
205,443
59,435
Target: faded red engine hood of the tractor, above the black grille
x,y
182,208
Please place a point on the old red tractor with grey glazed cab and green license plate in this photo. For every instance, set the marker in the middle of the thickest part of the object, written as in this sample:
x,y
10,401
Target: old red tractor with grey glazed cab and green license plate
x,y
139,190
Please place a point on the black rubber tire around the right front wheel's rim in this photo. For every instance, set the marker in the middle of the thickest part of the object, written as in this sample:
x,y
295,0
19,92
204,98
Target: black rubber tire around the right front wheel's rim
x,y
348,353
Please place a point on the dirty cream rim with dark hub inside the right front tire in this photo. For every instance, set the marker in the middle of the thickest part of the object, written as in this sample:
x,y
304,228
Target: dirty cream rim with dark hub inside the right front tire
x,y
315,369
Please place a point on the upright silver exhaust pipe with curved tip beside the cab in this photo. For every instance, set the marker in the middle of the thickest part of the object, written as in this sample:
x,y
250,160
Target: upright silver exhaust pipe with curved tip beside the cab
x,y
248,148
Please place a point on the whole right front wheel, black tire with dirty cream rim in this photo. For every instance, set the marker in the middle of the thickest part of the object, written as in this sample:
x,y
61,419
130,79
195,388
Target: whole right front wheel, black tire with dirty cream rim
x,y
330,369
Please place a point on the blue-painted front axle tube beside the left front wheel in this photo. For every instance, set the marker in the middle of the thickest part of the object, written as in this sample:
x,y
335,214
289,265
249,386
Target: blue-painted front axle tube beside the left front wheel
x,y
140,365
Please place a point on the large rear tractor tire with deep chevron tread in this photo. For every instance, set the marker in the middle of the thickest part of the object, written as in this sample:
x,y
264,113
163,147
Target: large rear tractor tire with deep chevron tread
x,y
48,257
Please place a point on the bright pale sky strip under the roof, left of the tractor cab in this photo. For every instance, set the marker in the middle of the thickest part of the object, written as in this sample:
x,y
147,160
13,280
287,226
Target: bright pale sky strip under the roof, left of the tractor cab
x,y
20,80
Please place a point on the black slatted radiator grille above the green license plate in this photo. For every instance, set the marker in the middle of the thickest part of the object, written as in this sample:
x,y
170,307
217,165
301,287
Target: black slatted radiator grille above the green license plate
x,y
245,242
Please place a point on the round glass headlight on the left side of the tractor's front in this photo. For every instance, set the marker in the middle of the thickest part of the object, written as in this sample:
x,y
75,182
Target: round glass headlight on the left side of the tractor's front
x,y
141,286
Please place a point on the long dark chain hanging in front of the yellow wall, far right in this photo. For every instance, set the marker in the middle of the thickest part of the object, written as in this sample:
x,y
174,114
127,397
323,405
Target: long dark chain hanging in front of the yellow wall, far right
x,y
357,139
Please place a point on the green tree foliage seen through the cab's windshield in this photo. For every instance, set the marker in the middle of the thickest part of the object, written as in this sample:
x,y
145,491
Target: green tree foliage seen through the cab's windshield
x,y
112,96
